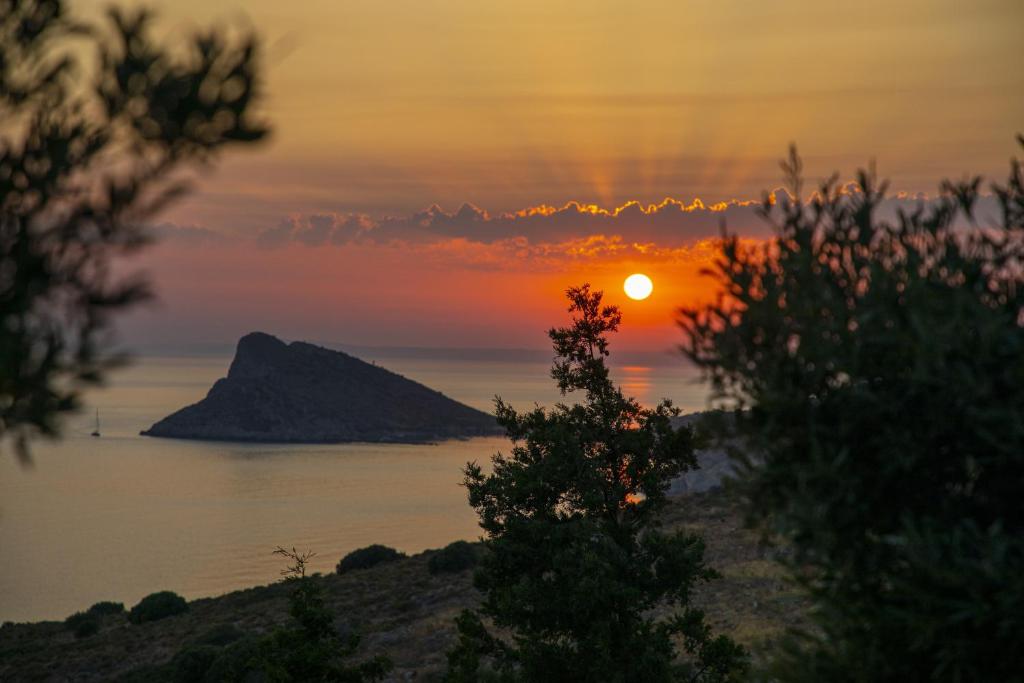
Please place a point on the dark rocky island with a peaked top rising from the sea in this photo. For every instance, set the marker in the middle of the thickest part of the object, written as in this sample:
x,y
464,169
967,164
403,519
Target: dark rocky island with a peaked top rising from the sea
x,y
298,393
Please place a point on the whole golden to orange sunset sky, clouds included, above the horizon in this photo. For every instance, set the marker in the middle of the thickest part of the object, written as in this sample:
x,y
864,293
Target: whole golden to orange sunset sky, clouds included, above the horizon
x,y
442,170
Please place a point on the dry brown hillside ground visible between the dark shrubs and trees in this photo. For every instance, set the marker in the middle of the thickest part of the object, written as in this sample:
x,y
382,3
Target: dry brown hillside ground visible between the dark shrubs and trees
x,y
401,609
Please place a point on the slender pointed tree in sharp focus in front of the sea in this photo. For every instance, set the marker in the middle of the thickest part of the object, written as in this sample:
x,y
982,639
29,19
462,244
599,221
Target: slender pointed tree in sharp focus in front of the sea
x,y
575,565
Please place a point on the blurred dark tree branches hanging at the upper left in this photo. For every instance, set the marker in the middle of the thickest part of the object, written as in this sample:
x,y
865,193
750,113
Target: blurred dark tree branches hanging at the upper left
x,y
90,152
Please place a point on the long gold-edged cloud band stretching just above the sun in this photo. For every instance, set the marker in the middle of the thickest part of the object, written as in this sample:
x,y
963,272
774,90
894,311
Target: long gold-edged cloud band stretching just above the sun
x,y
573,231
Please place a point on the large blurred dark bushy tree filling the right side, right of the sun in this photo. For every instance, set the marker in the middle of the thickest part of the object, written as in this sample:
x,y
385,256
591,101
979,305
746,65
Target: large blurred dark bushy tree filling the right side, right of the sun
x,y
877,368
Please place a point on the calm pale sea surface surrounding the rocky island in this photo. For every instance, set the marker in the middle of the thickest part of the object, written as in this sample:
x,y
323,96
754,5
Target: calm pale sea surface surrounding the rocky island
x,y
121,517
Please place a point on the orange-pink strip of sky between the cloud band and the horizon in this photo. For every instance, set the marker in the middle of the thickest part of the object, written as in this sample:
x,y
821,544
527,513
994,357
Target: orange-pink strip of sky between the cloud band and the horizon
x,y
396,296
